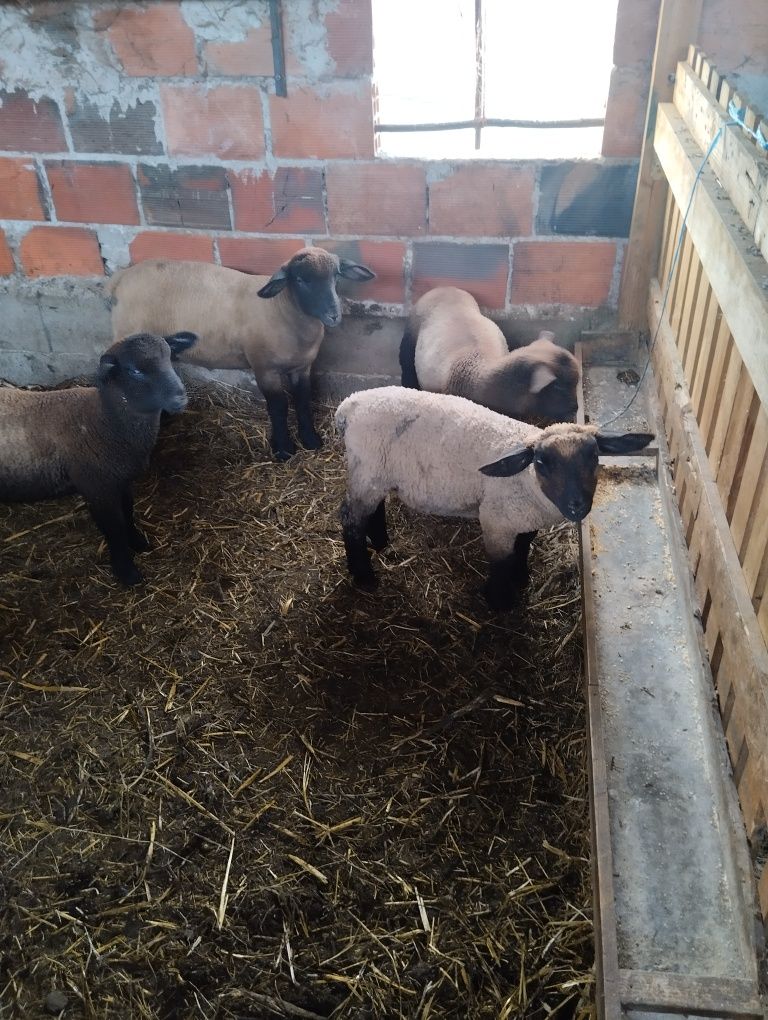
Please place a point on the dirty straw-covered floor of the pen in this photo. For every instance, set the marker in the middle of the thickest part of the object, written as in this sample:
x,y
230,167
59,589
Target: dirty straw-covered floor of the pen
x,y
249,790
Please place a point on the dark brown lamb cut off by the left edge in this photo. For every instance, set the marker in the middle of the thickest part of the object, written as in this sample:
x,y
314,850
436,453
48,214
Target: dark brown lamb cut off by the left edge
x,y
94,440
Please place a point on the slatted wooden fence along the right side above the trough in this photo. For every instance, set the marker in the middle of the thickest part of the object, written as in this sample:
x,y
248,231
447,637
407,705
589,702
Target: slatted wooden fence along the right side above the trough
x,y
711,369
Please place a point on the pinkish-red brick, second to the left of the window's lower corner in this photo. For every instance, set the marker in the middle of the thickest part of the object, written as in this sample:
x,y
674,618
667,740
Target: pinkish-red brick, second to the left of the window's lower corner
x,y
224,122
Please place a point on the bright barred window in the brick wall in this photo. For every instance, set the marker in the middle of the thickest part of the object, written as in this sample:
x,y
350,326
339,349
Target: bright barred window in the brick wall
x,y
544,61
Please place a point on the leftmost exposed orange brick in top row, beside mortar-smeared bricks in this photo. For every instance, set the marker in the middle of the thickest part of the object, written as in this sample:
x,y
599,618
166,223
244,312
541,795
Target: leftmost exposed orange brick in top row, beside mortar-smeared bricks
x,y
153,41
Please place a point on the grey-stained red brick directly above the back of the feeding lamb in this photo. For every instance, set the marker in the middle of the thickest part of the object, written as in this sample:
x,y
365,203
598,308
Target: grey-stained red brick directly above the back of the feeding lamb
x,y
482,270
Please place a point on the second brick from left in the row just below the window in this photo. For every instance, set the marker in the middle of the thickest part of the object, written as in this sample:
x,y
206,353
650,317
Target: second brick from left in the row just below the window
x,y
93,193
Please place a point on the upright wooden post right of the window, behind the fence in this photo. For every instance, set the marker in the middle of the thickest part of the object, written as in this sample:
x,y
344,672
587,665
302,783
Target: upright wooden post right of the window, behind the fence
x,y
679,27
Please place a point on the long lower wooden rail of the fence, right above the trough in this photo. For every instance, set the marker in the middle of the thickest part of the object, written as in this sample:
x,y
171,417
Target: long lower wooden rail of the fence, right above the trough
x,y
731,617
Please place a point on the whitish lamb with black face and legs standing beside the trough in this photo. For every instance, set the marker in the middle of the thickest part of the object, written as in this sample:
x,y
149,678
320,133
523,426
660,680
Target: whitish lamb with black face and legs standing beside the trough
x,y
449,456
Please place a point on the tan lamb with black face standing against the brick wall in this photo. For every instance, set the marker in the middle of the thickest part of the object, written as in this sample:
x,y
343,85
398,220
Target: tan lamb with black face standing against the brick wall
x,y
279,339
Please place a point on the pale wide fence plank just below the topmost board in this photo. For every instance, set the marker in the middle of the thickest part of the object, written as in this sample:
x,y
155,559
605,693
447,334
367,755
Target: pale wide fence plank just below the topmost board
x,y
735,271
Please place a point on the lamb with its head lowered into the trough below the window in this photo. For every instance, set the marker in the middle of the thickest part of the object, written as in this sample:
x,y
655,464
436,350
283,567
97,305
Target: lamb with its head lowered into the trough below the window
x,y
449,346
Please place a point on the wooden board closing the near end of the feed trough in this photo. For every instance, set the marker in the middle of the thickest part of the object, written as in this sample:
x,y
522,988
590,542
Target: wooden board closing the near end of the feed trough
x,y
710,997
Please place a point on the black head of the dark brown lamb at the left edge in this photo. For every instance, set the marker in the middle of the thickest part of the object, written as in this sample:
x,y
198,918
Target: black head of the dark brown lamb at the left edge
x,y
140,368
